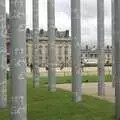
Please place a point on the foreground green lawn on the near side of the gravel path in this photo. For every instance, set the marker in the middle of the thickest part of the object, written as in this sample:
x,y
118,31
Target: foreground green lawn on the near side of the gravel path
x,y
44,105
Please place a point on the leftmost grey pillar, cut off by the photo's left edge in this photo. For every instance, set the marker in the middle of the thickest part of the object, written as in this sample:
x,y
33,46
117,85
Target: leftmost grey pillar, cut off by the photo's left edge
x,y
3,81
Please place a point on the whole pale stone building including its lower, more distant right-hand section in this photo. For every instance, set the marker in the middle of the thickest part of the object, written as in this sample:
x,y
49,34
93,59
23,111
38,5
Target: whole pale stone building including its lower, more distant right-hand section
x,y
63,49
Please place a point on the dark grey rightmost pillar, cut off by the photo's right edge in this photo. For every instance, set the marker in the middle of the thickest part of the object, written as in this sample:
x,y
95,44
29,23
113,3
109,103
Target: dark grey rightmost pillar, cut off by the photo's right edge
x,y
117,57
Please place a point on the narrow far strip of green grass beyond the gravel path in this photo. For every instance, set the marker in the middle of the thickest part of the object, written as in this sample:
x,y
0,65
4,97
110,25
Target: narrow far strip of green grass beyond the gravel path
x,y
68,79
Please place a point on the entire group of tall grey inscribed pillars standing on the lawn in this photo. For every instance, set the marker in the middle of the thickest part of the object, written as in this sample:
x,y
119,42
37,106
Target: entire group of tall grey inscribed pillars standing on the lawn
x,y
18,100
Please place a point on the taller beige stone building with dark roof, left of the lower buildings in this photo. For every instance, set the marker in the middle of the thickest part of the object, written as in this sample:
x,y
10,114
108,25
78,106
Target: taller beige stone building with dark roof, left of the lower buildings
x,y
63,48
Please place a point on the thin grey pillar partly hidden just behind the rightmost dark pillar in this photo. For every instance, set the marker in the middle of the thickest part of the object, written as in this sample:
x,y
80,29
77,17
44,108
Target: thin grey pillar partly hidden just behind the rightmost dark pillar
x,y
113,44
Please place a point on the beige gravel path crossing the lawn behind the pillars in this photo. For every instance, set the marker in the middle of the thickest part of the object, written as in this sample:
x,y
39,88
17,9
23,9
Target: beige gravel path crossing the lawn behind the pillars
x,y
91,89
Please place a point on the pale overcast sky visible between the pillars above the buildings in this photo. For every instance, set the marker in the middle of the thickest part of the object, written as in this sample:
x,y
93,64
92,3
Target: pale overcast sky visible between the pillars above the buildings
x,y
62,7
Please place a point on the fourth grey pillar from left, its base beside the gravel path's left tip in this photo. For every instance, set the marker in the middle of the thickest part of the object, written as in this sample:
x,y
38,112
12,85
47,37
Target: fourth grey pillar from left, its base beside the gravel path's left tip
x,y
51,46
